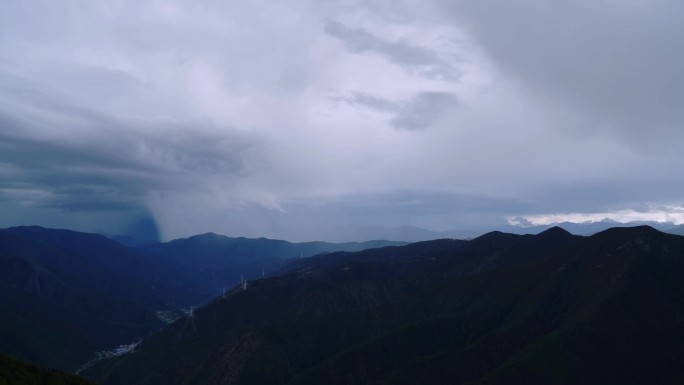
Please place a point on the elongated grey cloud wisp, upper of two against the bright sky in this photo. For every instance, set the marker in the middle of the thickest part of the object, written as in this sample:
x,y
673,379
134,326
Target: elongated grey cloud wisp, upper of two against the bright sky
x,y
421,60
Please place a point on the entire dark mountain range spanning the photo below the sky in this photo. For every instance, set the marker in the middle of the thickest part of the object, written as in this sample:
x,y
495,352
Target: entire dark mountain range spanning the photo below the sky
x,y
500,308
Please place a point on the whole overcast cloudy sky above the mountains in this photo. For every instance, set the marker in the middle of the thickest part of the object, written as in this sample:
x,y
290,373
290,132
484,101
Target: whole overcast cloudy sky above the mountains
x,y
323,120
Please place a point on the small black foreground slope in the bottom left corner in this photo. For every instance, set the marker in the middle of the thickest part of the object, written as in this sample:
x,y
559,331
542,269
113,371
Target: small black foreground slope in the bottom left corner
x,y
15,372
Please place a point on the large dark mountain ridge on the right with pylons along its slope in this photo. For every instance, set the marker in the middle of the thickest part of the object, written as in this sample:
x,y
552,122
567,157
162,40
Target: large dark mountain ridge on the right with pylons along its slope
x,y
499,309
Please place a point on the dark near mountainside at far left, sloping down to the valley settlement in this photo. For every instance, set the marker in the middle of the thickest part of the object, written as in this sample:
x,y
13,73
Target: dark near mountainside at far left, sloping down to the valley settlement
x,y
53,319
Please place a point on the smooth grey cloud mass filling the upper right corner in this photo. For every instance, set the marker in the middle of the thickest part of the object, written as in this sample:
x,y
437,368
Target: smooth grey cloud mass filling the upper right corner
x,y
617,62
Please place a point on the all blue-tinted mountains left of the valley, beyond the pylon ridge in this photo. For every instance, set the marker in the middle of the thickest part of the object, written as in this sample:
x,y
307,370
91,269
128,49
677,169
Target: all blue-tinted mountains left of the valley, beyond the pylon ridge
x,y
65,295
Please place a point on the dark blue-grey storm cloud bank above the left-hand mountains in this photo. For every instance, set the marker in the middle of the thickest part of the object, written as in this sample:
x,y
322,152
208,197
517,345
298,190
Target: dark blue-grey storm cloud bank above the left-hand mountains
x,y
113,165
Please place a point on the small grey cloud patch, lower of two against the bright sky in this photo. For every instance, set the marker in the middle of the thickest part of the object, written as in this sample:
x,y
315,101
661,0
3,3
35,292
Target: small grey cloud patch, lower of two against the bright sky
x,y
417,113
